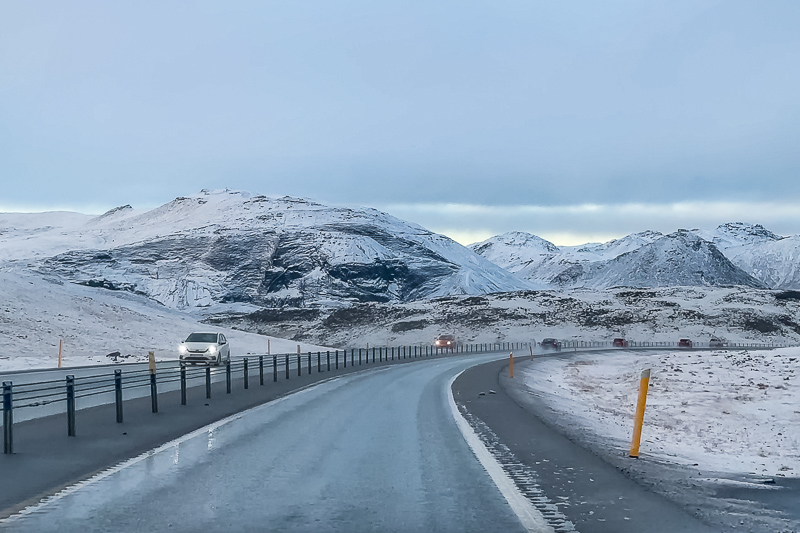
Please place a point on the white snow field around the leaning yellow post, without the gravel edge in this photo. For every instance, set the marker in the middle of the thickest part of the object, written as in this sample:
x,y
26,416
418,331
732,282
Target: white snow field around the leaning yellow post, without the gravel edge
x,y
731,411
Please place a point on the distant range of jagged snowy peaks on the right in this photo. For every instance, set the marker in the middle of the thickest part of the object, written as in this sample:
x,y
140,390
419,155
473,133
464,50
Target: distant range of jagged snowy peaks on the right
x,y
732,254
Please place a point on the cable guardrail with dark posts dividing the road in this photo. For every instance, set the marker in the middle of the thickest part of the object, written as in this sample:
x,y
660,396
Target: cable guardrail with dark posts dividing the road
x,y
73,388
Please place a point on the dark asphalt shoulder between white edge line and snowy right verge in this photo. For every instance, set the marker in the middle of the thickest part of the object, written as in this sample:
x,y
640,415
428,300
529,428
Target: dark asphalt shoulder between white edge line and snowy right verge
x,y
589,492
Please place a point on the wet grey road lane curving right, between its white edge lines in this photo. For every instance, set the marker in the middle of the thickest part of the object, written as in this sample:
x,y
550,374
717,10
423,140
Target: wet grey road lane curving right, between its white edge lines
x,y
371,451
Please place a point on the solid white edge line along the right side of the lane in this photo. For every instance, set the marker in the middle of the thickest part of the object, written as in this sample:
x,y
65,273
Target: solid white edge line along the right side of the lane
x,y
531,518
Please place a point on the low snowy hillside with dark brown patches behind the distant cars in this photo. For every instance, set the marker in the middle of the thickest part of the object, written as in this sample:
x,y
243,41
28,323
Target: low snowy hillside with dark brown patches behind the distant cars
x,y
738,314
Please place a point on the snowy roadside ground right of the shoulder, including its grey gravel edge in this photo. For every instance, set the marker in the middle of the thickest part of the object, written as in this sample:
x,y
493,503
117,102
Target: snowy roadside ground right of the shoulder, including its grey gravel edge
x,y
721,430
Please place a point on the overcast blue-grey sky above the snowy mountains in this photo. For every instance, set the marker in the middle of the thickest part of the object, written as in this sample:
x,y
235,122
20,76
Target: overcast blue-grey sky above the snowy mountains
x,y
576,121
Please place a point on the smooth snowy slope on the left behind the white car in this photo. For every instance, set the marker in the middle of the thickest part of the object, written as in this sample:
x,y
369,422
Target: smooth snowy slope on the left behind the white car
x,y
36,312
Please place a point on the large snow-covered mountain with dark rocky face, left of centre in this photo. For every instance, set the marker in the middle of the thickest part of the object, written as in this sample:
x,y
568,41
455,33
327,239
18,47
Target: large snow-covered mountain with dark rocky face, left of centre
x,y
231,247
